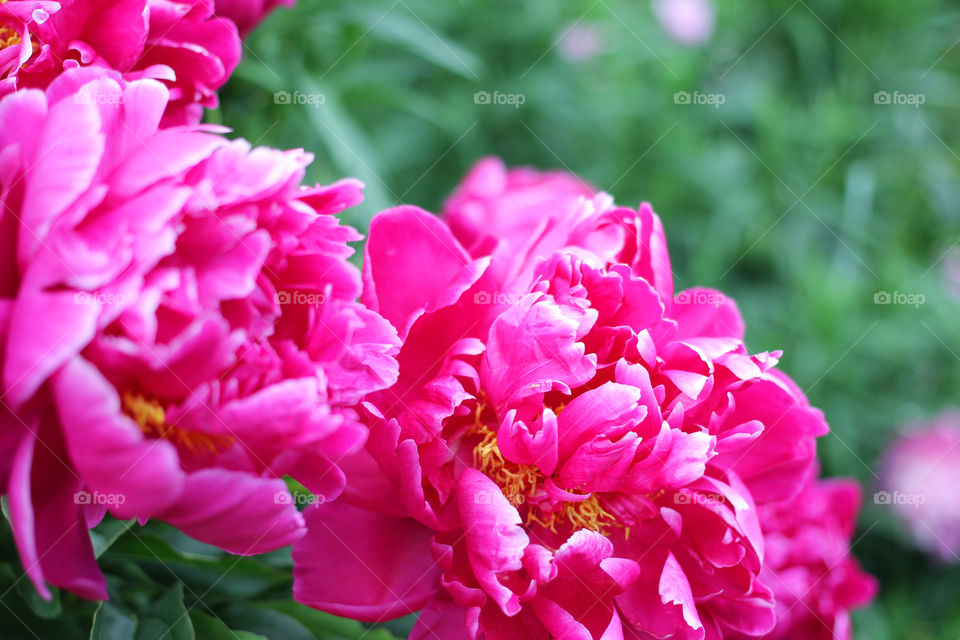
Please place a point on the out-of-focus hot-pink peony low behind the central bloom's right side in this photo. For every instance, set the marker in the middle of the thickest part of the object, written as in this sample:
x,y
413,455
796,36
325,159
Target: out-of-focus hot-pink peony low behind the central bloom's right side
x,y
808,563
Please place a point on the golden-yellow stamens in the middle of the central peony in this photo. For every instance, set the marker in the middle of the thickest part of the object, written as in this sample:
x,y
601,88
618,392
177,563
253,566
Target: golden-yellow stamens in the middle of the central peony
x,y
521,482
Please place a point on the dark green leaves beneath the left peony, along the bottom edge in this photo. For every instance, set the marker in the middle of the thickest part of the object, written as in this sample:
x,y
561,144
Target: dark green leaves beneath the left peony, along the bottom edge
x,y
165,586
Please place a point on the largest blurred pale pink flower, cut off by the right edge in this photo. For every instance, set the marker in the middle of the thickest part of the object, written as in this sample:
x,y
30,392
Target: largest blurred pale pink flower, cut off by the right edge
x,y
919,476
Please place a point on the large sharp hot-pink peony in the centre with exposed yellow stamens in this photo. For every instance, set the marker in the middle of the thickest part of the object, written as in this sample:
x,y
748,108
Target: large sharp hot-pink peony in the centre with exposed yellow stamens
x,y
570,450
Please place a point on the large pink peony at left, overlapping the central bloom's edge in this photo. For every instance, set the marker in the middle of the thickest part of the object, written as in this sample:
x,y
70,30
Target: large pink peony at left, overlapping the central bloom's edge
x,y
178,327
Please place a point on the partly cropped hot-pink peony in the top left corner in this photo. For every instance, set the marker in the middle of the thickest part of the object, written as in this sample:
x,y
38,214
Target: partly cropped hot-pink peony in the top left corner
x,y
177,42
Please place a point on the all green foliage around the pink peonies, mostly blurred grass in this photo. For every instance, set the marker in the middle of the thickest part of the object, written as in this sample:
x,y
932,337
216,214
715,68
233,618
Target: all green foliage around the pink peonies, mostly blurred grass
x,y
800,196
